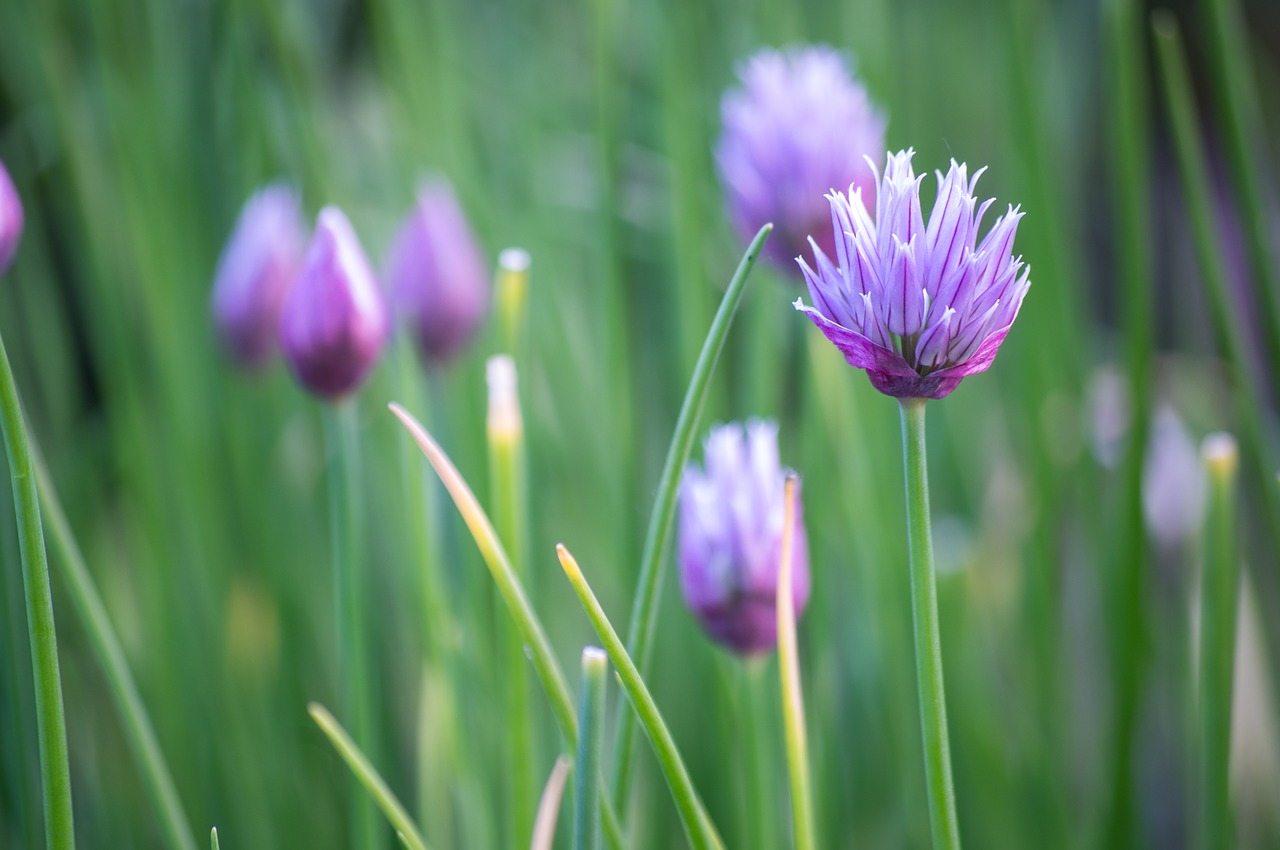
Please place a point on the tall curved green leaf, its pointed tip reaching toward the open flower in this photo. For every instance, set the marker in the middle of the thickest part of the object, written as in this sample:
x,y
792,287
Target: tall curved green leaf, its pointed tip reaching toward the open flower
x,y
644,611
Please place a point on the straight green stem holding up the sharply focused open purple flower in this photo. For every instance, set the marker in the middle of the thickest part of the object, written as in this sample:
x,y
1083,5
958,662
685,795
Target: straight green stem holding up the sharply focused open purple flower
x,y
929,643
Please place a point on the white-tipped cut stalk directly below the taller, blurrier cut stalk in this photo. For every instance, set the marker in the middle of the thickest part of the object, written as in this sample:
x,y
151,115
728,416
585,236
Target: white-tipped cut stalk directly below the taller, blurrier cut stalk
x,y
506,433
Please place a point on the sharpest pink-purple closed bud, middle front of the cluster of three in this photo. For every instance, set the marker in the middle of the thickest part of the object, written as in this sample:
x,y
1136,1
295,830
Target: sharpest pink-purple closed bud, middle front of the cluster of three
x,y
335,321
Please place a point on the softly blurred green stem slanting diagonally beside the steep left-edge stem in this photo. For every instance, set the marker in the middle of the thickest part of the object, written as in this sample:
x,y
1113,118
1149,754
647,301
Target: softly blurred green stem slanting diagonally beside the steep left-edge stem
x,y
107,647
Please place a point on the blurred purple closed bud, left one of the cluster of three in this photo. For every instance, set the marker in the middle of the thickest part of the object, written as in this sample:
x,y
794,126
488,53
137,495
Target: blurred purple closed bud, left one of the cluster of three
x,y
255,273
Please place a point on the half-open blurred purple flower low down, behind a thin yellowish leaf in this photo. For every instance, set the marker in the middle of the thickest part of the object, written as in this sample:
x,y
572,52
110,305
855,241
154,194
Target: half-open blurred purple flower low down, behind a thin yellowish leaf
x,y
732,518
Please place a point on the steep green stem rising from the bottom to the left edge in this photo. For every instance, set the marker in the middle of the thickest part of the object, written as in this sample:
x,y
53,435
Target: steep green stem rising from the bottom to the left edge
x,y
51,721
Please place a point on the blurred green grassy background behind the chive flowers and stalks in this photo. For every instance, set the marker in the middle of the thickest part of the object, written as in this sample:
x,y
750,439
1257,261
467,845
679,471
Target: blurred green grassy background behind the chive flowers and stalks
x,y
583,132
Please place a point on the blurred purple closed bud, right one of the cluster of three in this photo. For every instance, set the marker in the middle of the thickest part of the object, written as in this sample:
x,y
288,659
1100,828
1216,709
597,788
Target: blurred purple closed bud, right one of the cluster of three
x,y
438,276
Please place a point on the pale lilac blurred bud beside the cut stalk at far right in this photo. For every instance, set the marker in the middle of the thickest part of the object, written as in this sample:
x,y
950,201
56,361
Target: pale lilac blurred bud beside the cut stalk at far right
x,y
1173,482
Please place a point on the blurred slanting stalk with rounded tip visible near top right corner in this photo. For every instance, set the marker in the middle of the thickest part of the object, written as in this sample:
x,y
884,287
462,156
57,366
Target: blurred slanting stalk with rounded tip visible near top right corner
x,y
1209,252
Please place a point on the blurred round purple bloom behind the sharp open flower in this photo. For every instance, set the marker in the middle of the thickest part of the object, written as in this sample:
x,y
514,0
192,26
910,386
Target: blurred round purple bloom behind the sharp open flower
x,y
799,127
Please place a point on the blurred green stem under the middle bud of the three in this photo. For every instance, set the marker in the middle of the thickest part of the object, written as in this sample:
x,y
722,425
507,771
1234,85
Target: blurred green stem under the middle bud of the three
x,y
346,504
